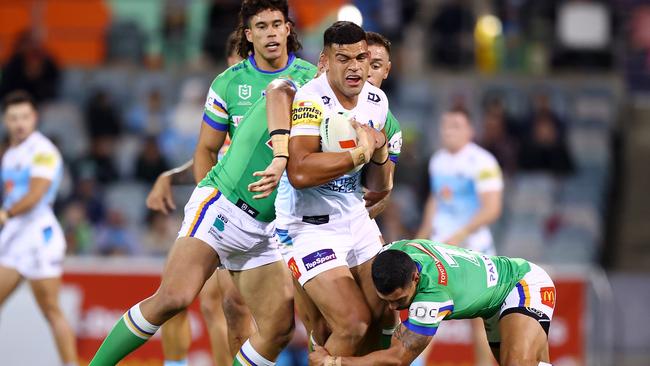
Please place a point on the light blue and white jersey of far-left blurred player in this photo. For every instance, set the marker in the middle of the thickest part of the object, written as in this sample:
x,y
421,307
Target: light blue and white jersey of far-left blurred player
x,y
36,157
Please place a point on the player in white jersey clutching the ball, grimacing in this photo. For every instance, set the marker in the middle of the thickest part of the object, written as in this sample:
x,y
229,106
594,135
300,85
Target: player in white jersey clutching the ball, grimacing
x,y
320,207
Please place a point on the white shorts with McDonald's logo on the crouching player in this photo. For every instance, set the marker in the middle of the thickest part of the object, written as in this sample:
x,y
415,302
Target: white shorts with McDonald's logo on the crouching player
x,y
534,296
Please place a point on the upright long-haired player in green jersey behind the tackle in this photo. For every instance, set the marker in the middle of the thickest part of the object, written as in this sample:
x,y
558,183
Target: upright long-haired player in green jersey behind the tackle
x,y
267,44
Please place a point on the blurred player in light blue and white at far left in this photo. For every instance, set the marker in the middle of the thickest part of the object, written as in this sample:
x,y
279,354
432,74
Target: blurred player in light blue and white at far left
x,y
32,245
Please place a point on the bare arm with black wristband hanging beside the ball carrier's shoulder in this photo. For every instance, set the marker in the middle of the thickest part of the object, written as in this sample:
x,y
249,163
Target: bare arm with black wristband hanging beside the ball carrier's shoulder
x,y
279,96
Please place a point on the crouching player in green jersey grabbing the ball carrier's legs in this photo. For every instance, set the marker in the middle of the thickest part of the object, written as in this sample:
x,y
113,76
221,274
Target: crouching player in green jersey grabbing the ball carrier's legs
x,y
436,282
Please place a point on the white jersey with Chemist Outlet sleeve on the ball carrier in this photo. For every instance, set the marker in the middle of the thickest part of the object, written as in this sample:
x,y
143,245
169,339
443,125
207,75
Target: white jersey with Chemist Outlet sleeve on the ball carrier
x,y
314,102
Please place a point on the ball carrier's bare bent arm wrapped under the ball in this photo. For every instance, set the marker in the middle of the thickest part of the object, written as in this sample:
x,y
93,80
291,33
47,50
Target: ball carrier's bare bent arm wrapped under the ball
x,y
309,167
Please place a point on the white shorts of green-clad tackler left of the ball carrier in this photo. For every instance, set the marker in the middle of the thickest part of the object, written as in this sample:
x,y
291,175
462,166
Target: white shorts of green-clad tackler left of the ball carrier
x,y
241,241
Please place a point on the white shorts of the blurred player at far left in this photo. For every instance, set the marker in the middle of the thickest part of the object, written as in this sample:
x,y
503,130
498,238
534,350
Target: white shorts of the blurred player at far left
x,y
33,245
